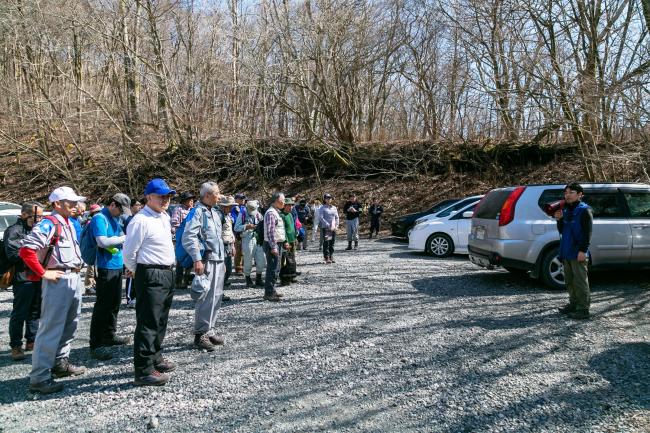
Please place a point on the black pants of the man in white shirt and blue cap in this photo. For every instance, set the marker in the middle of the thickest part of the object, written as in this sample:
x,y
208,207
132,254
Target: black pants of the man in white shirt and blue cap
x,y
155,290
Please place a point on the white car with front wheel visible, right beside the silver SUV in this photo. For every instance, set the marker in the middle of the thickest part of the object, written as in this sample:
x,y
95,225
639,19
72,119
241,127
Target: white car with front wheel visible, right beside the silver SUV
x,y
444,236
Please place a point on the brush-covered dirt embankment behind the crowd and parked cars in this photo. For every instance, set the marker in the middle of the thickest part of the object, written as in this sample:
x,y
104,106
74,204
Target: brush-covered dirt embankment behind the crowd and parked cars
x,y
404,176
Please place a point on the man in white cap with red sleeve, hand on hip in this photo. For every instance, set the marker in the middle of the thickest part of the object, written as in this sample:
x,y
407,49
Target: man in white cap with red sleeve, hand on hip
x,y
51,252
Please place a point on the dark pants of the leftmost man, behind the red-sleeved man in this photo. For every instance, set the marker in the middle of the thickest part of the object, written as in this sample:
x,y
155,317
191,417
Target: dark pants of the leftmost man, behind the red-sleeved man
x,y
25,313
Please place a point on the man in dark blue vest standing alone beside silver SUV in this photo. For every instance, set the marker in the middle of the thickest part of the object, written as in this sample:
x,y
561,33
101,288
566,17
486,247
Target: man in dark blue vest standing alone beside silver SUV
x,y
574,223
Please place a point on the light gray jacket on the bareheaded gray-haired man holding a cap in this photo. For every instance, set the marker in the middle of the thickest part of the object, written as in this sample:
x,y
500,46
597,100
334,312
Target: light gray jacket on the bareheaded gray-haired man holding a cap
x,y
204,227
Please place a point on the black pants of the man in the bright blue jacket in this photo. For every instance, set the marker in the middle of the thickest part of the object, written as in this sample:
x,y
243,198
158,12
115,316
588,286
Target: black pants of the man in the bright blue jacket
x,y
103,323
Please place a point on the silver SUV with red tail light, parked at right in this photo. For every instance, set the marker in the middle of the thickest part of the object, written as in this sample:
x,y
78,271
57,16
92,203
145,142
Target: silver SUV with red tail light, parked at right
x,y
511,229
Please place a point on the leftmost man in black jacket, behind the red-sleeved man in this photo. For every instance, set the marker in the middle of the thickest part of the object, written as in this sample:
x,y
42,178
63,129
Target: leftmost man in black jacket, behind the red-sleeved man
x,y
27,294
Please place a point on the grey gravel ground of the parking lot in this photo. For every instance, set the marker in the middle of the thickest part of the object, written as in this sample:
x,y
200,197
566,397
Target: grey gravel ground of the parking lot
x,y
383,340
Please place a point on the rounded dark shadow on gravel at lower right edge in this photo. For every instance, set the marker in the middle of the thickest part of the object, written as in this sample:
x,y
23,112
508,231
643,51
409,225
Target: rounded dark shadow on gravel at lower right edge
x,y
625,367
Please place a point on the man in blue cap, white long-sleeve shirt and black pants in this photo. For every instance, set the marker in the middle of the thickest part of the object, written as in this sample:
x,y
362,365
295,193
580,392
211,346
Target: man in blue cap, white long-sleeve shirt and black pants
x,y
149,255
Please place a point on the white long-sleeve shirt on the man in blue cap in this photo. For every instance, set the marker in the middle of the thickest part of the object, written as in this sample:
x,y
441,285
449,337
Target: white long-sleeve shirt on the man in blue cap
x,y
148,240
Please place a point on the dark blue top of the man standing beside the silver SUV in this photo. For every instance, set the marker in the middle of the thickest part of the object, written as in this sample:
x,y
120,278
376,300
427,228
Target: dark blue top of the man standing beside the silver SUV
x,y
575,228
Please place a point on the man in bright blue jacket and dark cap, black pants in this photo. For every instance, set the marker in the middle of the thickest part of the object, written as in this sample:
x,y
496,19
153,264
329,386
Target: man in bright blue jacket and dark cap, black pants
x,y
106,228
